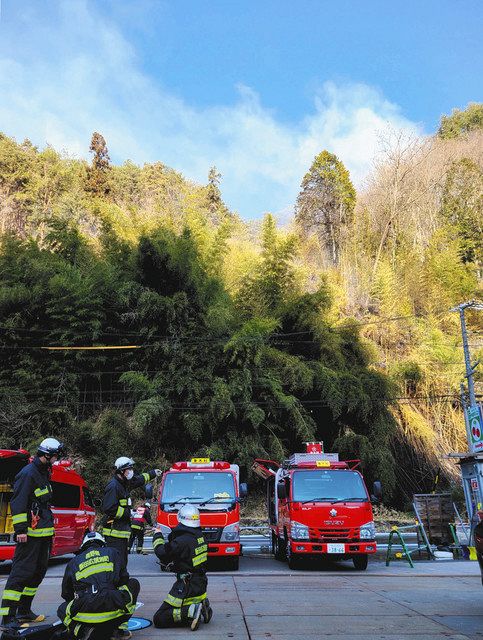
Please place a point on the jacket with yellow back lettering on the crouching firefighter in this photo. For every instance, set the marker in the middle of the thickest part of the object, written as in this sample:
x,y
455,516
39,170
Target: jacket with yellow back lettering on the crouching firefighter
x,y
95,587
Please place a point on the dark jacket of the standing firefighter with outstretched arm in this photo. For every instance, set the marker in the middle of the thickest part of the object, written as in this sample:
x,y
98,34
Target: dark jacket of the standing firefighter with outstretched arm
x,y
116,504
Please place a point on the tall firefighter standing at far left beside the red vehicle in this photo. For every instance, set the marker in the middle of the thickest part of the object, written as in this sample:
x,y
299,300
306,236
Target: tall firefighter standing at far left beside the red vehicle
x,y
34,528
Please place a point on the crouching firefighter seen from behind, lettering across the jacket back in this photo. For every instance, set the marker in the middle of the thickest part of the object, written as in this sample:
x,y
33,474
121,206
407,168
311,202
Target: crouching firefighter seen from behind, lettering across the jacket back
x,y
99,595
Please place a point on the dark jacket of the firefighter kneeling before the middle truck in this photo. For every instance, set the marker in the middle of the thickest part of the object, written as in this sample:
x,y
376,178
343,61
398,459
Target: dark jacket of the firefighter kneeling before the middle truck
x,y
187,553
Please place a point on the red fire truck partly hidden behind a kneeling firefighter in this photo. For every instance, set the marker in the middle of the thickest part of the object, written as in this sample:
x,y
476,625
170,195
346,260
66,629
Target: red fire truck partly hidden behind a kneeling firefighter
x,y
215,488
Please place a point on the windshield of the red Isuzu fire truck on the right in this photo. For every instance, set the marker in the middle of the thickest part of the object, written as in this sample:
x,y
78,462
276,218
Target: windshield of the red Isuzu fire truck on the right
x,y
319,485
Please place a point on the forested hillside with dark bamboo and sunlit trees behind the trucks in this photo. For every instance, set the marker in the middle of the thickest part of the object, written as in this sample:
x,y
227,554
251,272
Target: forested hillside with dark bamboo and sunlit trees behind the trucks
x,y
242,340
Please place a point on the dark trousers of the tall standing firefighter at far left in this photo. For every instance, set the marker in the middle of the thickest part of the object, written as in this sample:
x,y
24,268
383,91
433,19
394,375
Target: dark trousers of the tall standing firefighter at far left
x,y
28,570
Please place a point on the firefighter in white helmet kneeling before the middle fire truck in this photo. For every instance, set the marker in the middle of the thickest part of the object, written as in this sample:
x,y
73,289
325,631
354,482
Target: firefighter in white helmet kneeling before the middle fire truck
x,y
185,553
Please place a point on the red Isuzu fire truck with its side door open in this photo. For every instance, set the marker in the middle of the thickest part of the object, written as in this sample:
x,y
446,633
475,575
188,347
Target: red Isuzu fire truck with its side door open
x,y
319,505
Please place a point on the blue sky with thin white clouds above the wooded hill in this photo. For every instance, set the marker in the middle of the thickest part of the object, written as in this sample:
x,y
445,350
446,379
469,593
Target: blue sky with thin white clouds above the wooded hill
x,y
256,87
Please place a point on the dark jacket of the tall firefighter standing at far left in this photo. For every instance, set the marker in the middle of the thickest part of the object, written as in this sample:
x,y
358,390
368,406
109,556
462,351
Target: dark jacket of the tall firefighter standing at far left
x,y
30,503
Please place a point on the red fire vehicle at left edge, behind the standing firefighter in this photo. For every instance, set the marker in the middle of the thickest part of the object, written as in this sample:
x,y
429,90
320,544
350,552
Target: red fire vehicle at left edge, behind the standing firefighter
x,y
72,504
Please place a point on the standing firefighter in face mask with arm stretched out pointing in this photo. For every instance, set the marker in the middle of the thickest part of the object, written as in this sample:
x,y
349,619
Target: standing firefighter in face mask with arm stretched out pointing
x,y
116,504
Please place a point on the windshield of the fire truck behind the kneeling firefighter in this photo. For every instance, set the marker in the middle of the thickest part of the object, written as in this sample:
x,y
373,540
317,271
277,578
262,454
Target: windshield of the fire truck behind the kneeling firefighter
x,y
196,487
